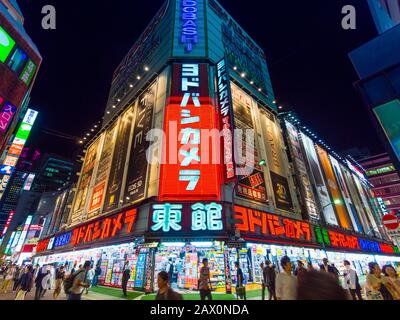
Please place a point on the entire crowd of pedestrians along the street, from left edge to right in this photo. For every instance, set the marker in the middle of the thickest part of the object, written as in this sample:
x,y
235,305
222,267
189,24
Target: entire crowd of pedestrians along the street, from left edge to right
x,y
298,282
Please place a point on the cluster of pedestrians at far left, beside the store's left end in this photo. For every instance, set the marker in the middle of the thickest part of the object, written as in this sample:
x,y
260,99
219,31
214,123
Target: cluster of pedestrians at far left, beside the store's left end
x,y
24,279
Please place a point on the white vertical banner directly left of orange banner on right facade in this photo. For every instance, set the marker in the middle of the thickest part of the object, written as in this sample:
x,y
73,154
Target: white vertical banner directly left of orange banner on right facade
x,y
319,182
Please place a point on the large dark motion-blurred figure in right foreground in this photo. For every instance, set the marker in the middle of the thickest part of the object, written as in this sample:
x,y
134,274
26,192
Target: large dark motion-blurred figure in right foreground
x,y
317,285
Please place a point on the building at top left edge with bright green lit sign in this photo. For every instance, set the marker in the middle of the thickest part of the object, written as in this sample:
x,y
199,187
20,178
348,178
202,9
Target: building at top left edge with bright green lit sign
x,y
19,63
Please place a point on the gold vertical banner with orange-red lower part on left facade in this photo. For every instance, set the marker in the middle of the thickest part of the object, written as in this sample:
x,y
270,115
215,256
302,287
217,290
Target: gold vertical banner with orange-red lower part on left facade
x,y
103,170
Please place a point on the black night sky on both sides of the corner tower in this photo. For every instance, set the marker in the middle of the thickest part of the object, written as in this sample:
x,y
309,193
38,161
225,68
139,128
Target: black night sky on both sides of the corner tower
x,y
306,51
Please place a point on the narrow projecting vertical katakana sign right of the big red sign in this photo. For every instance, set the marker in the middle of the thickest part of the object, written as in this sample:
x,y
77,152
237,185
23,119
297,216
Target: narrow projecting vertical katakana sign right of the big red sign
x,y
225,110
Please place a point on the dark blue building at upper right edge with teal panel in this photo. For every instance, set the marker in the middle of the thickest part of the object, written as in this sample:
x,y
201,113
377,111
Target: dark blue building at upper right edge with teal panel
x,y
377,63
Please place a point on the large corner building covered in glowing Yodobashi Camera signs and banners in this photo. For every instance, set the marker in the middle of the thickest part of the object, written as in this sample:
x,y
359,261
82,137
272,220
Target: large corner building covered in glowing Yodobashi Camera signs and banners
x,y
163,199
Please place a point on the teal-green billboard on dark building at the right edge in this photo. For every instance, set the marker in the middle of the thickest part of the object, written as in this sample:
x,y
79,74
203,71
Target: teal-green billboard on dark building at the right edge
x,y
388,116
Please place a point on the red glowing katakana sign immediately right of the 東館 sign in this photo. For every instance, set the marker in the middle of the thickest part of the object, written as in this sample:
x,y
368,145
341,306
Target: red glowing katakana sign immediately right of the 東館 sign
x,y
264,225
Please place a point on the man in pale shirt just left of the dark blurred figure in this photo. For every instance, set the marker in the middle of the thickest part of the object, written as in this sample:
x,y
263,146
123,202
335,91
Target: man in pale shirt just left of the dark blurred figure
x,y
286,282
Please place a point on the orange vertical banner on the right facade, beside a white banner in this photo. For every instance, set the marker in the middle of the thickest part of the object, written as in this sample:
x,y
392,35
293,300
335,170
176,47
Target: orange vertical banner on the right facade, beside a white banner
x,y
334,189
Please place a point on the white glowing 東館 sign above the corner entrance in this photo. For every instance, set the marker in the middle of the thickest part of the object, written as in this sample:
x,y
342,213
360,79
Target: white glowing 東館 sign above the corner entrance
x,y
187,217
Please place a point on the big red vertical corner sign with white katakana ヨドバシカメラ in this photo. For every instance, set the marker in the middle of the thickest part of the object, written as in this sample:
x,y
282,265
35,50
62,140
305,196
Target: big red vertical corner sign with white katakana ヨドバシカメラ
x,y
189,170
